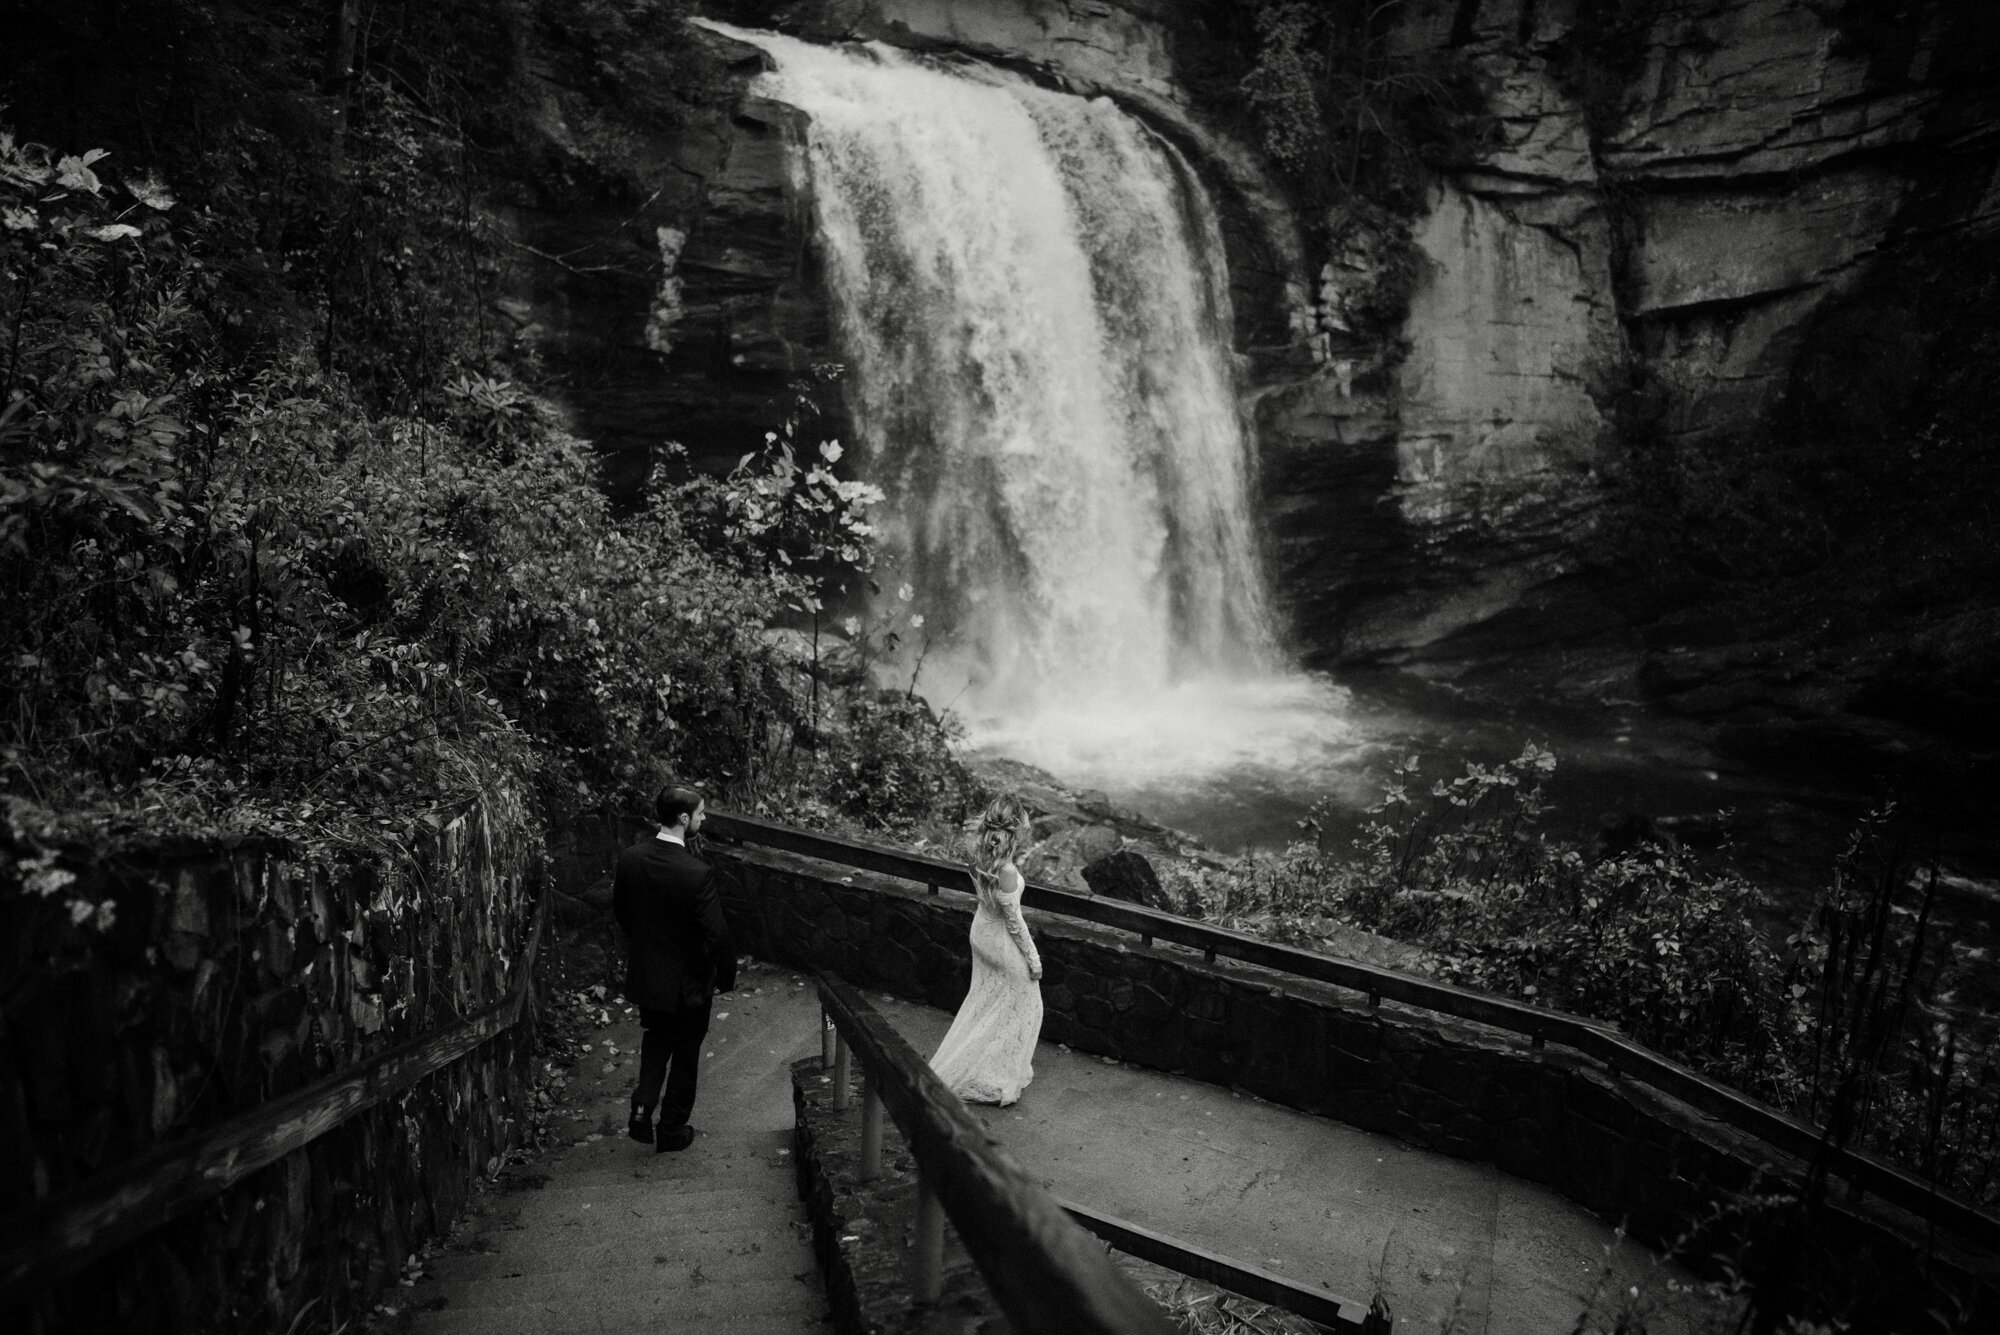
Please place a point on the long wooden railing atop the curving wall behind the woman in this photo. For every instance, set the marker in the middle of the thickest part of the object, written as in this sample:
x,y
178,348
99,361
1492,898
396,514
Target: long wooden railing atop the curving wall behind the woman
x,y
1543,1026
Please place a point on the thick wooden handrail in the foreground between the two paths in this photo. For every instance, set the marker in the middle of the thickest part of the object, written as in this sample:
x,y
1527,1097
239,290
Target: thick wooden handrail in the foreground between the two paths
x,y
1043,1270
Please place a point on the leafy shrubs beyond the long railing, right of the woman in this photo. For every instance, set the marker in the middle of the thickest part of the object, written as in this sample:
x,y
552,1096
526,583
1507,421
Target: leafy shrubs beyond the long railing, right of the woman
x,y
1857,1020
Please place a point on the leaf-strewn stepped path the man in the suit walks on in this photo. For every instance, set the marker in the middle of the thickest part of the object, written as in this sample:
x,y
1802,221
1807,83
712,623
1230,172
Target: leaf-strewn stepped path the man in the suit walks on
x,y
609,1236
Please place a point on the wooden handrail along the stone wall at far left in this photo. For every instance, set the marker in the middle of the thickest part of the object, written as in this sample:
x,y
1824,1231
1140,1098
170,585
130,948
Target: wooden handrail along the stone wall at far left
x,y
119,1208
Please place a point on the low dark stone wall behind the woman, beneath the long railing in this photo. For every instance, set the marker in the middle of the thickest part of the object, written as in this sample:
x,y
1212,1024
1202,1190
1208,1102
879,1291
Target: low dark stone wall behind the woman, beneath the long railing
x,y
1551,1116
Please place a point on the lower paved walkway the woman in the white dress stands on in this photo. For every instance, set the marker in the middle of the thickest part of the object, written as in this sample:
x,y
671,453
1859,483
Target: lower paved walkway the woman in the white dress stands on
x,y
1455,1246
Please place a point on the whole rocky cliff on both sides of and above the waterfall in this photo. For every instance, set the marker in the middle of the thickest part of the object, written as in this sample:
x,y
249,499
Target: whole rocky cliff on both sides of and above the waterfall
x,y
1673,223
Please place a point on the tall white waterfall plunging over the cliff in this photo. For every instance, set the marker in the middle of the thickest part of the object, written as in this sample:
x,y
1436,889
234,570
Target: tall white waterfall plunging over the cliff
x,y
1035,311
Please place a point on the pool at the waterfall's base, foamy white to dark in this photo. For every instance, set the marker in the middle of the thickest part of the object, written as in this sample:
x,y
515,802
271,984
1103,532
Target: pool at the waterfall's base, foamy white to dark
x,y
1241,764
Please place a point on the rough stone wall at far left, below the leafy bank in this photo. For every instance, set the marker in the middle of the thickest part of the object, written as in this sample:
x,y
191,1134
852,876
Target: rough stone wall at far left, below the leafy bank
x,y
221,980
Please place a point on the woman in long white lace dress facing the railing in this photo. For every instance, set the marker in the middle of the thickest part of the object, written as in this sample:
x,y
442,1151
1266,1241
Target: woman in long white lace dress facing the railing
x,y
989,1054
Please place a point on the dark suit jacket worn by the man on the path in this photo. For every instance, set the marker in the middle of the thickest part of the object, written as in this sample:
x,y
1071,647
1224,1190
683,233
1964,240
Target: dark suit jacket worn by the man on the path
x,y
665,900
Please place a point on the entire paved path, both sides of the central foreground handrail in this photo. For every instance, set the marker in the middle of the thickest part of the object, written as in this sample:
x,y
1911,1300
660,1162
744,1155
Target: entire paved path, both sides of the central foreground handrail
x,y
607,1236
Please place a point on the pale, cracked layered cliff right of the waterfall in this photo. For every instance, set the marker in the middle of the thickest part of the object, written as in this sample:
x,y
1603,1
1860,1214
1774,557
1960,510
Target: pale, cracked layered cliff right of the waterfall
x,y
1677,231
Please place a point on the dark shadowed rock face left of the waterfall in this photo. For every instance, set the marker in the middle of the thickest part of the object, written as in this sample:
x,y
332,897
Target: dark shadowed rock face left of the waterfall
x,y
665,275
